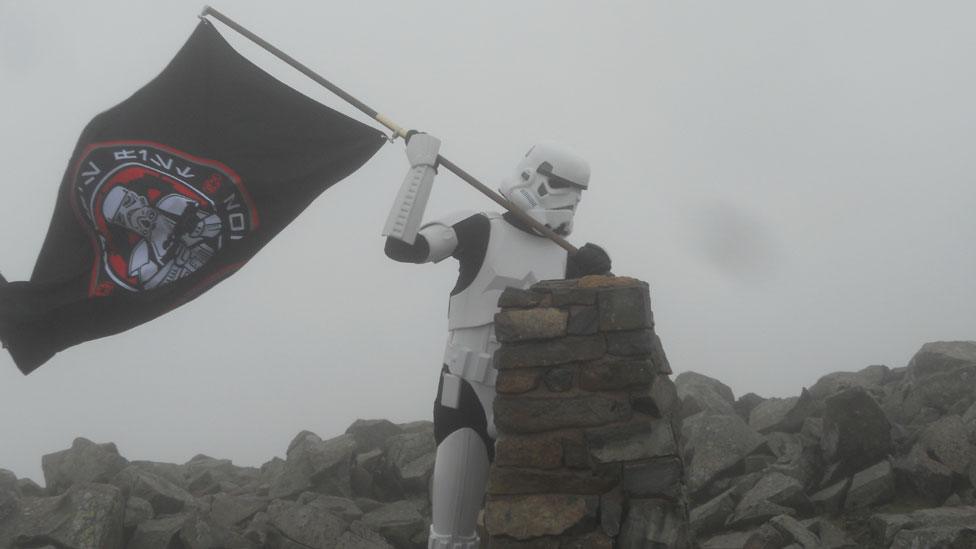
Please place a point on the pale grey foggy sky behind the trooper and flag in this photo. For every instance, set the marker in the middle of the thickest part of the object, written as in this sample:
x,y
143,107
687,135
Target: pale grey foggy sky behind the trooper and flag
x,y
794,180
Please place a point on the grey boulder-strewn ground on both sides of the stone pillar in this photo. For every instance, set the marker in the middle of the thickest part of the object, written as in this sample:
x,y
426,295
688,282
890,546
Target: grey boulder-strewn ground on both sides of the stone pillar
x,y
877,458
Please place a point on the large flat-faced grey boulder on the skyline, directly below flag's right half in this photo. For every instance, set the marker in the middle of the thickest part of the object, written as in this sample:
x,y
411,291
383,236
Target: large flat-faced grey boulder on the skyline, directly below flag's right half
x,y
315,465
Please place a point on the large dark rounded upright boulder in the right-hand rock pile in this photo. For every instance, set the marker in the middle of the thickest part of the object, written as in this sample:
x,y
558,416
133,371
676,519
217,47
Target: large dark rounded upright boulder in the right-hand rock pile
x,y
856,432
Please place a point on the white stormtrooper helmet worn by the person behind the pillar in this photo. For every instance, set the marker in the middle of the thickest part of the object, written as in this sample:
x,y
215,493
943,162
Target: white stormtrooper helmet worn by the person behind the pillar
x,y
548,184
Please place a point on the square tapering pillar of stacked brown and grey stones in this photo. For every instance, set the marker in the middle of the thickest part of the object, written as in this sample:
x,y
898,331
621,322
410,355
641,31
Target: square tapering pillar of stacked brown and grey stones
x,y
587,455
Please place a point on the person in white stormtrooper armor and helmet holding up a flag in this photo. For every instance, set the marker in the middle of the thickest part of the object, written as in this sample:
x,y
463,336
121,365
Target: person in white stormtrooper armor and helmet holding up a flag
x,y
494,252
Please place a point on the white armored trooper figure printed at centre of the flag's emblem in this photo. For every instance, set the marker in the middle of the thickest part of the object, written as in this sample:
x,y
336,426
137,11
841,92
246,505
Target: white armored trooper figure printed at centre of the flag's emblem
x,y
162,256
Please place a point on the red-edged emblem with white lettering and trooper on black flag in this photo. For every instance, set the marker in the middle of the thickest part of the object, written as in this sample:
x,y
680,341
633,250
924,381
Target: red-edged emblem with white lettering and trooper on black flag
x,y
156,215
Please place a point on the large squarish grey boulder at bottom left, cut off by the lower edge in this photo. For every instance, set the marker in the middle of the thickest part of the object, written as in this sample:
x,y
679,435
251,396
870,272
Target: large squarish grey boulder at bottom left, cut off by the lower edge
x,y
87,515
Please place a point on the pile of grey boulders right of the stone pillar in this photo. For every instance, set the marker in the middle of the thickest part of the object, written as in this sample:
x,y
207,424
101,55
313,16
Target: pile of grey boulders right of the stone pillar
x,y
877,458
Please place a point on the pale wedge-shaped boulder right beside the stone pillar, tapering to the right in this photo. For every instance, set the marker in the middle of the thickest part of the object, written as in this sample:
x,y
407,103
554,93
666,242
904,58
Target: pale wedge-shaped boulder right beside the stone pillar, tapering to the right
x,y
715,444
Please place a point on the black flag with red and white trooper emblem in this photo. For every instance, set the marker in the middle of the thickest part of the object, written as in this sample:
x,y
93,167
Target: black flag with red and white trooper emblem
x,y
170,192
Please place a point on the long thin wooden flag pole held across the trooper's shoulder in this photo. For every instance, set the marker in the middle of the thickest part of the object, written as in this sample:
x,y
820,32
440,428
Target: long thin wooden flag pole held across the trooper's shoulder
x,y
398,131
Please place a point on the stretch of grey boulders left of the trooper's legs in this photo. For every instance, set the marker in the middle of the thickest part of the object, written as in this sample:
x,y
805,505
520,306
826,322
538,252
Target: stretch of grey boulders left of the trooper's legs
x,y
366,489
